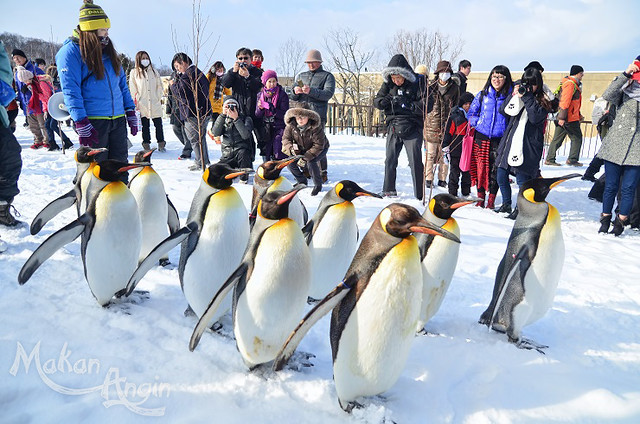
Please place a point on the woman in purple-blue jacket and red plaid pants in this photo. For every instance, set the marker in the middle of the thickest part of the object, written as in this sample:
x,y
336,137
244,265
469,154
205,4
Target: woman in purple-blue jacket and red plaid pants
x,y
489,124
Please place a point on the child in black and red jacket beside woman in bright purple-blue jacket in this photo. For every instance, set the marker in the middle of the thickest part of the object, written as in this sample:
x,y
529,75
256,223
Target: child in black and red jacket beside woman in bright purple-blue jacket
x,y
455,130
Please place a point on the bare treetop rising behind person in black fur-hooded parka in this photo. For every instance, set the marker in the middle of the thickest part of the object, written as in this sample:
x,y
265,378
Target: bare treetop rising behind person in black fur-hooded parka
x,y
424,46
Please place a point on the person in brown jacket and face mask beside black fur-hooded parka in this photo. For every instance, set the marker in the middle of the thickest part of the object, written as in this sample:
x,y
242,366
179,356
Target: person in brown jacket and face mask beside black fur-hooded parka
x,y
444,93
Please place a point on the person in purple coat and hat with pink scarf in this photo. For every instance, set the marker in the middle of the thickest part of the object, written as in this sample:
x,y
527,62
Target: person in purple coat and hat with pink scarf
x,y
271,107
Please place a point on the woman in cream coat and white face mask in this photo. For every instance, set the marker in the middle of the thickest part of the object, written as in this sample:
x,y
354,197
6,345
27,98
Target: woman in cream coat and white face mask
x,y
146,89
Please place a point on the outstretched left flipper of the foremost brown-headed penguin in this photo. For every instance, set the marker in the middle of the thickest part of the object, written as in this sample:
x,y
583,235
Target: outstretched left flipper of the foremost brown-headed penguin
x,y
325,306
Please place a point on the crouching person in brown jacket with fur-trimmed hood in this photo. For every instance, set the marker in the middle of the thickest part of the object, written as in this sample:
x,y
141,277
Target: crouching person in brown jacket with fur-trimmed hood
x,y
305,136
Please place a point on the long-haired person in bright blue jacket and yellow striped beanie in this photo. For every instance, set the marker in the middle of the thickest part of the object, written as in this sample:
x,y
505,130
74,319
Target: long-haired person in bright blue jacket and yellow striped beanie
x,y
95,85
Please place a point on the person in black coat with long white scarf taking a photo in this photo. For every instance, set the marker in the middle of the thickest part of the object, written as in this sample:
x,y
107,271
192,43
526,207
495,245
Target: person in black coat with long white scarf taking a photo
x,y
520,148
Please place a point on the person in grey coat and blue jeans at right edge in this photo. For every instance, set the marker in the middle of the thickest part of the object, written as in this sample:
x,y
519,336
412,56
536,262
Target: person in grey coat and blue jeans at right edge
x,y
620,148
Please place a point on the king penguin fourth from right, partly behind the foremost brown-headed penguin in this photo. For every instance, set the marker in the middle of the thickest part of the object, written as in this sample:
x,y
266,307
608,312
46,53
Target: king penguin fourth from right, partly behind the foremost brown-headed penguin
x,y
332,236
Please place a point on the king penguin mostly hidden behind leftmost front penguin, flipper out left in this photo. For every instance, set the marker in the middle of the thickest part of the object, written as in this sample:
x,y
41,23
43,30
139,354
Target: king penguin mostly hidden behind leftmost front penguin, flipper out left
x,y
85,160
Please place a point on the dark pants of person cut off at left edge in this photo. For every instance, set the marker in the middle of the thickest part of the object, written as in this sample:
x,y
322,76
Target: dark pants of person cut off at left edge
x,y
10,164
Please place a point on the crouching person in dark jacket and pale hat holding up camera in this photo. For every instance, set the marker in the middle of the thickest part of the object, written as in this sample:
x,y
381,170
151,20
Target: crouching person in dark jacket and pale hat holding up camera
x,y
235,129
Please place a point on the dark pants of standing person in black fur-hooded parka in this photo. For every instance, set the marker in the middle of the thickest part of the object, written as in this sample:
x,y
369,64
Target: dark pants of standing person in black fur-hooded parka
x,y
413,144
